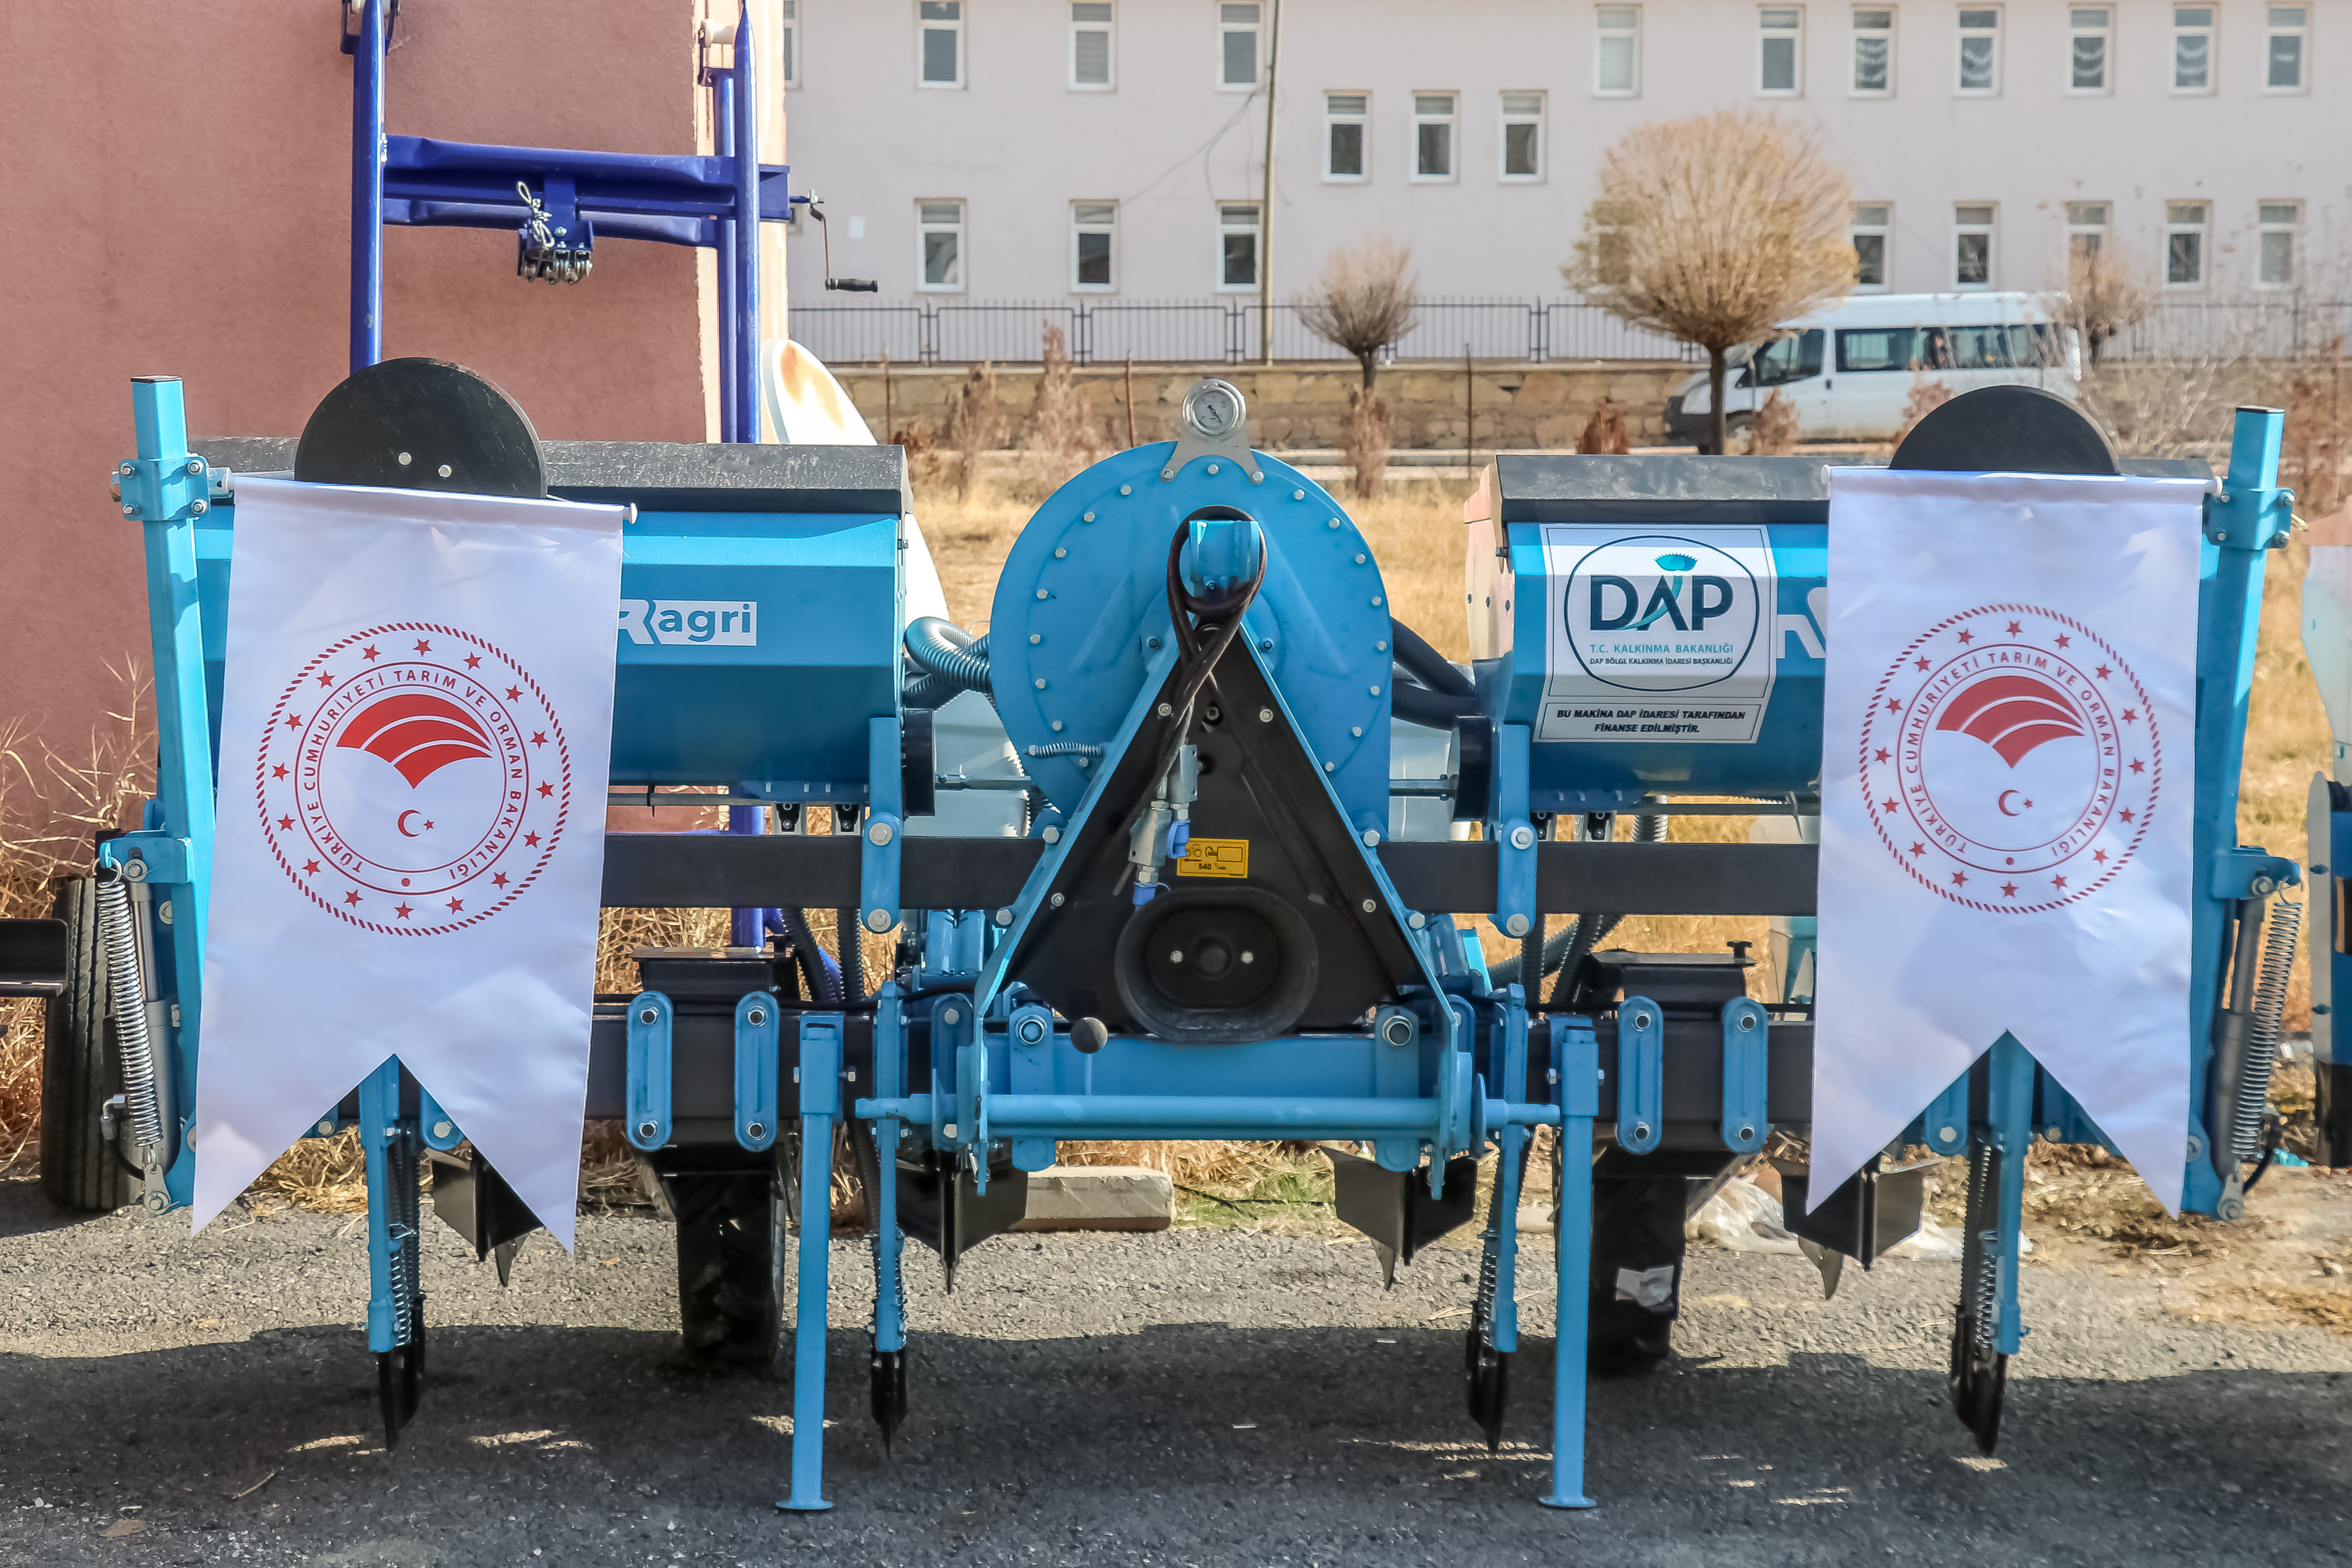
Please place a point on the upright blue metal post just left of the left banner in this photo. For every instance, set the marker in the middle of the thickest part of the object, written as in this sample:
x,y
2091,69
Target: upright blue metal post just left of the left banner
x,y
166,492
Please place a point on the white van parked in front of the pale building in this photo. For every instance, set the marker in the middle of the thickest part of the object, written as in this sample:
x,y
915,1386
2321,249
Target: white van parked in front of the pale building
x,y
1850,370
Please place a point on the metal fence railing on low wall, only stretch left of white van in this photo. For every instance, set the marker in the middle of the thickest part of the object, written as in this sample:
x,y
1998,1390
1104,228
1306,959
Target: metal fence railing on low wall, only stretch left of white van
x,y
956,330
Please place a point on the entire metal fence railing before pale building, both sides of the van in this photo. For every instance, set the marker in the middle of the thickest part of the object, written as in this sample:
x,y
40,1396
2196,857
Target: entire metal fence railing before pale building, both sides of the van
x,y
956,330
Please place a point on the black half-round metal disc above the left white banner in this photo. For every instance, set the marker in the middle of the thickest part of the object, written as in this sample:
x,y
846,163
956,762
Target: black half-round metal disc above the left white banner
x,y
422,424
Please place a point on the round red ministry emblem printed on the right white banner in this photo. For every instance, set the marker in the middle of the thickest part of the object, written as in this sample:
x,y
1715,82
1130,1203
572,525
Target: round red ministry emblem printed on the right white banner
x,y
2012,760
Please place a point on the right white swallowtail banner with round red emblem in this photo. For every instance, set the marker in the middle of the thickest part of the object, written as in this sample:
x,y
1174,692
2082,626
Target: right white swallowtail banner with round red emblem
x,y
2005,800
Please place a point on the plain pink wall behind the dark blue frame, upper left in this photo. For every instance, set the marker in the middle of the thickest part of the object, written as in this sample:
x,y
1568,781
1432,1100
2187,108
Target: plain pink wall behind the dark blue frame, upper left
x,y
178,182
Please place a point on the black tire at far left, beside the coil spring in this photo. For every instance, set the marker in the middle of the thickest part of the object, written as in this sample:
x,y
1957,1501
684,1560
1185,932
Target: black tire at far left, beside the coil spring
x,y
81,1071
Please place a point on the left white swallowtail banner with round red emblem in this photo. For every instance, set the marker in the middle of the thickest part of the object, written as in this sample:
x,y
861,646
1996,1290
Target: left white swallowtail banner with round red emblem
x,y
410,852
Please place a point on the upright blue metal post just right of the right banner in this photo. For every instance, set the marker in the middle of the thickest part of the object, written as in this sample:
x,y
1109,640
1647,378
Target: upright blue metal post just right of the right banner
x,y
2238,532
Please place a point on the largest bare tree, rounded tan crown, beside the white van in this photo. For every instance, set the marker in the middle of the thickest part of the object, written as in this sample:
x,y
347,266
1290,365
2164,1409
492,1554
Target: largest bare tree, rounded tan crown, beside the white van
x,y
1713,232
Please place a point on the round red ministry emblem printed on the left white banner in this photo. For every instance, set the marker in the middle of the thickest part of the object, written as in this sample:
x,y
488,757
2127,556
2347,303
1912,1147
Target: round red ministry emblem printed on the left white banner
x,y
415,779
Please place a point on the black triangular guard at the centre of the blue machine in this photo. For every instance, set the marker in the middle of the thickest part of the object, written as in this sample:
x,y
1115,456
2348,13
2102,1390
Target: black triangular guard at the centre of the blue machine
x,y
1259,784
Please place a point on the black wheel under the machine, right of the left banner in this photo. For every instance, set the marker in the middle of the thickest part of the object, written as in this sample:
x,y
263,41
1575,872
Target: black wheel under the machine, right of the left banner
x,y
730,1254
